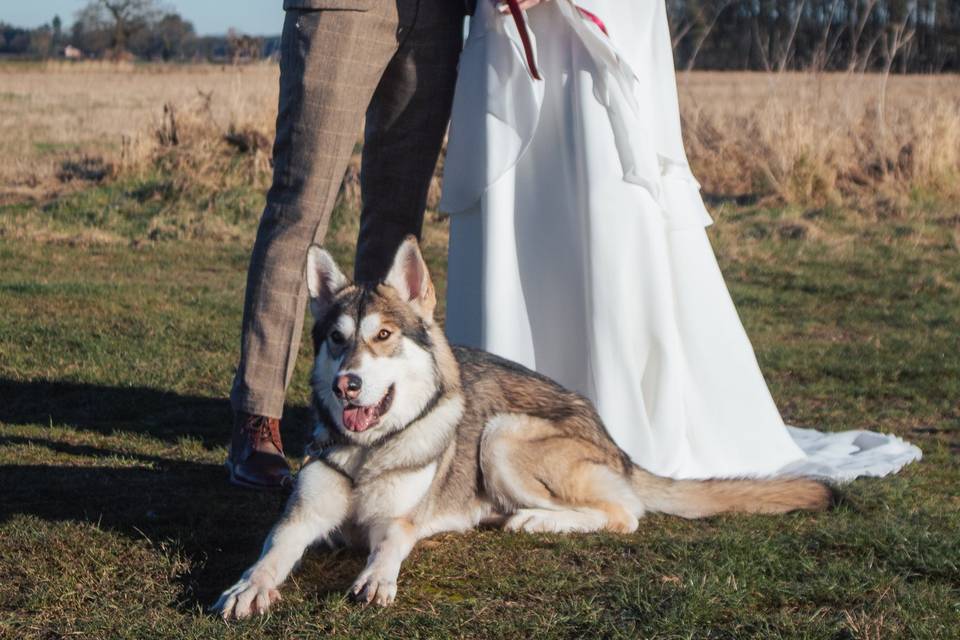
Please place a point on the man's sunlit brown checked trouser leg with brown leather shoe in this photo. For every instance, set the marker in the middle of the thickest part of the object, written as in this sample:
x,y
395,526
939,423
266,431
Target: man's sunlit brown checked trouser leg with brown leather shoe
x,y
331,64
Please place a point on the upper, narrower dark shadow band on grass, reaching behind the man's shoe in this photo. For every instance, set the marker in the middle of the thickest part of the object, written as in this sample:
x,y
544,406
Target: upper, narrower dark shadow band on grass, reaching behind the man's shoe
x,y
160,414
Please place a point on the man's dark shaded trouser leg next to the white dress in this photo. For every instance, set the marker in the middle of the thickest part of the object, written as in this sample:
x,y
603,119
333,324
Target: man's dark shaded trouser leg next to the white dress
x,y
406,123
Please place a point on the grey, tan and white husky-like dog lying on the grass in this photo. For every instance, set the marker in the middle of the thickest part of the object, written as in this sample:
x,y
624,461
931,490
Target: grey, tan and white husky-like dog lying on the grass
x,y
416,437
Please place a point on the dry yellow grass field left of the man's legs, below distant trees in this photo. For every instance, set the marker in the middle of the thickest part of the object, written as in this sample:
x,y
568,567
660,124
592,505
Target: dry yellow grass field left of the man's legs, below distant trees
x,y
51,114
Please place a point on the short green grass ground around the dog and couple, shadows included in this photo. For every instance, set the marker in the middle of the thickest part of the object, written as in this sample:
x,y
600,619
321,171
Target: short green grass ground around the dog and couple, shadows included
x,y
118,334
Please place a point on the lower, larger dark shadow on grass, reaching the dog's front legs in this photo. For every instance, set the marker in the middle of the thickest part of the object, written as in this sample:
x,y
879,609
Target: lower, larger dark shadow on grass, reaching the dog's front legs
x,y
187,507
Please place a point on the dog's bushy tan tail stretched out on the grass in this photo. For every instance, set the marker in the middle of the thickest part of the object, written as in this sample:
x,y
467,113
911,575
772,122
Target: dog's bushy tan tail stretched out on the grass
x,y
702,498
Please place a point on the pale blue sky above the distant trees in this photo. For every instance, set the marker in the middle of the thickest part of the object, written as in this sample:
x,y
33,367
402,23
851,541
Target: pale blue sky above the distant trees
x,y
209,17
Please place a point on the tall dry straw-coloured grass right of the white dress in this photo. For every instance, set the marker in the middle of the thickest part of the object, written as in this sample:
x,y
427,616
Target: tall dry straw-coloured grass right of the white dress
x,y
816,140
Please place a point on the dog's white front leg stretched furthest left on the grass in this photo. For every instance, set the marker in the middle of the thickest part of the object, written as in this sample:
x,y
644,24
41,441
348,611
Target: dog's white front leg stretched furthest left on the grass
x,y
320,503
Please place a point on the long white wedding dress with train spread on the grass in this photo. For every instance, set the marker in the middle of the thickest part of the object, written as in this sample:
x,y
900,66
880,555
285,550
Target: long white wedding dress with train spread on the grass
x,y
578,248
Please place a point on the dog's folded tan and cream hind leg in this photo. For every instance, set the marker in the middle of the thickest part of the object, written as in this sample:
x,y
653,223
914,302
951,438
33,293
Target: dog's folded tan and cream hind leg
x,y
549,481
